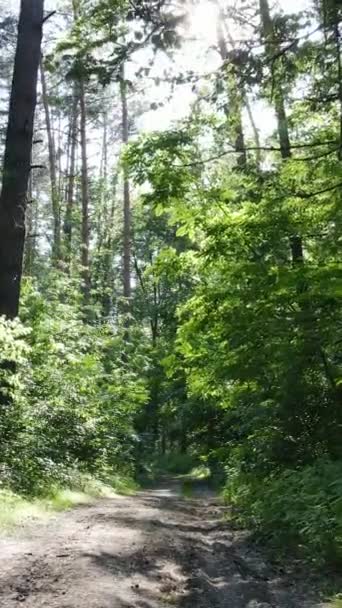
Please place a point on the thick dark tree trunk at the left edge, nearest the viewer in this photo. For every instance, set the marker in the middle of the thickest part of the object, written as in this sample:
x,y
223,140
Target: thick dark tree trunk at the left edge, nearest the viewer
x,y
17,159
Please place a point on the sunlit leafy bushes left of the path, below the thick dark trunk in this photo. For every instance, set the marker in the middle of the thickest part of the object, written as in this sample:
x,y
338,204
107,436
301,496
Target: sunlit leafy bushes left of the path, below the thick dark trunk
x,y
73,404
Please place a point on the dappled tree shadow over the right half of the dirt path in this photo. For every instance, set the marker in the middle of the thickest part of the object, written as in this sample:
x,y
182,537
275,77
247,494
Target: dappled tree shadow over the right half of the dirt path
x,y
180,565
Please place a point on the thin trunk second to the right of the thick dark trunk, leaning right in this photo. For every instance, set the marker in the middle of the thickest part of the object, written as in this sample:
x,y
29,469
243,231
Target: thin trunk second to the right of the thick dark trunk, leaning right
x,y
70,195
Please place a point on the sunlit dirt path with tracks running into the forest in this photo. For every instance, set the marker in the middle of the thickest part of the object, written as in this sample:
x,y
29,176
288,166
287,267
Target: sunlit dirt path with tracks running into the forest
x,y
149,551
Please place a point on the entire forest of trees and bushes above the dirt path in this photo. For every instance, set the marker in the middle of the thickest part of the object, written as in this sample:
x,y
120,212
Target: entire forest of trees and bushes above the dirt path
x,y
170,242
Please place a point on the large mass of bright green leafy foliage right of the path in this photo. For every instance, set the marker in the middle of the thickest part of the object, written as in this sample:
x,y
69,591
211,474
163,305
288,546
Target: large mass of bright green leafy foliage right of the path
x,y
256,336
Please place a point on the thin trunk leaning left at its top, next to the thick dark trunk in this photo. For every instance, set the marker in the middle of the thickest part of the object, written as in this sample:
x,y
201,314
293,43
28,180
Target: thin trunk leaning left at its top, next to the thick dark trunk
x,y
55,202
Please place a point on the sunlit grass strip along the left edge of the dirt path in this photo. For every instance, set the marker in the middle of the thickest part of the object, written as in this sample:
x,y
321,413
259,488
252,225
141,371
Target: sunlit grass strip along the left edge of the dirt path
x,y
16,510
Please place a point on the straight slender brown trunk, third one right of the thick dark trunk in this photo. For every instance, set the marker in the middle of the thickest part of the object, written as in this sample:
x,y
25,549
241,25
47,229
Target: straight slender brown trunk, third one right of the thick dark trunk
x,y
85,232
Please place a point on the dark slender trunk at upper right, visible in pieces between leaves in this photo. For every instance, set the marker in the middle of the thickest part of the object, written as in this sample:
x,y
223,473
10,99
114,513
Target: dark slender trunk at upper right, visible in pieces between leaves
x,y
272,49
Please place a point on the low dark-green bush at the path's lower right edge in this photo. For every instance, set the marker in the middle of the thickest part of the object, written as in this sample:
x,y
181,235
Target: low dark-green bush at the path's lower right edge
x,y
301,508
